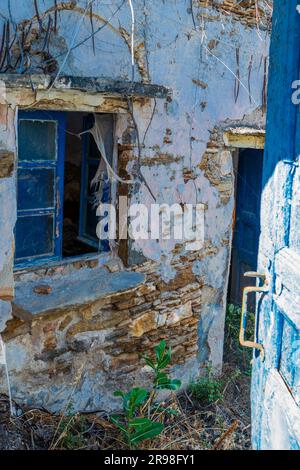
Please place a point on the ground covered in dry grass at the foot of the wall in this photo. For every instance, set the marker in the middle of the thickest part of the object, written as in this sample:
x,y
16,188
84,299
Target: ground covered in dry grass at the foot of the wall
x,y
223,424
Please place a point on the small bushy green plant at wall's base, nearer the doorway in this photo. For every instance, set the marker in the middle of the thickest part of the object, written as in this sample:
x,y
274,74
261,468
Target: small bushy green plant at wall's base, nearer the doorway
x,y
207,389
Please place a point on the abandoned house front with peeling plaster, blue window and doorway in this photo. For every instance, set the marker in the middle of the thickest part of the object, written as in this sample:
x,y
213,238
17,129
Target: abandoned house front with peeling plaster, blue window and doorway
x,y
185,113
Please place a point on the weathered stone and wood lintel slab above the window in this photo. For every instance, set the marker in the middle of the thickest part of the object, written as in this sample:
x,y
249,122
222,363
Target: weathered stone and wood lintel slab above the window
x,y
24,90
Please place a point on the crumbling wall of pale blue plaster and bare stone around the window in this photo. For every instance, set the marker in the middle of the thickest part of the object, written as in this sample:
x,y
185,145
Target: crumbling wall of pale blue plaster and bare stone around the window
x,y
83,354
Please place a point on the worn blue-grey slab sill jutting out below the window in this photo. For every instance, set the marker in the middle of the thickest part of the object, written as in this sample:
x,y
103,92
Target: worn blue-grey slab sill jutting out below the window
x,y
71,290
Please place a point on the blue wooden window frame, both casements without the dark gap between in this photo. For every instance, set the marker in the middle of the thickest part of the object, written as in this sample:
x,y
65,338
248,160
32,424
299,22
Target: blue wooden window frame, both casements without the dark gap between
x,y
40,186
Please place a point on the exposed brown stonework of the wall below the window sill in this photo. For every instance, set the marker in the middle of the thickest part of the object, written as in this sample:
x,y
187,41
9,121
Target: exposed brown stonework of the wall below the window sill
x,y
97,348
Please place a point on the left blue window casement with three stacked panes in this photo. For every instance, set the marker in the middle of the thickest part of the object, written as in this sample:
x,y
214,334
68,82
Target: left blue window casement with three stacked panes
x,y
41,147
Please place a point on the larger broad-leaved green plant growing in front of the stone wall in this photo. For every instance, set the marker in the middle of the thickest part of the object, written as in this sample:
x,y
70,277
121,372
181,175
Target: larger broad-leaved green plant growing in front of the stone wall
x,y
138,421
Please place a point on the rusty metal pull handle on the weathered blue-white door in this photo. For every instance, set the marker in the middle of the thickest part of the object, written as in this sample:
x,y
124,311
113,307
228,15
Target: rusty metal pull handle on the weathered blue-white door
x,y
246,291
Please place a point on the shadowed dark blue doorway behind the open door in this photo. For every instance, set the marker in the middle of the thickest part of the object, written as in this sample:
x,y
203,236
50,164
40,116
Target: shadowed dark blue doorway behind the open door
x,y
248,166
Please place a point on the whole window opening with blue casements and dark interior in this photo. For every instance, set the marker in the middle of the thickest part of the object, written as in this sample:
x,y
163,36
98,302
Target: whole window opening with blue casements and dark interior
x,y
56,200
